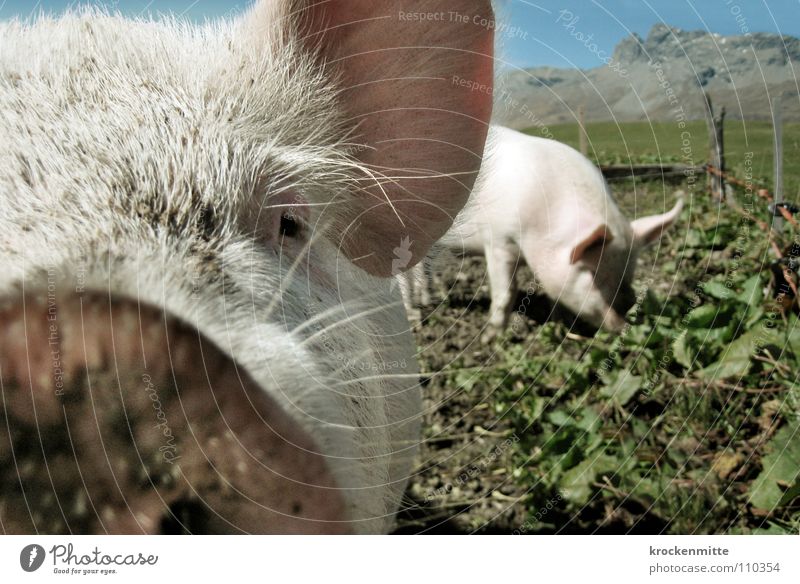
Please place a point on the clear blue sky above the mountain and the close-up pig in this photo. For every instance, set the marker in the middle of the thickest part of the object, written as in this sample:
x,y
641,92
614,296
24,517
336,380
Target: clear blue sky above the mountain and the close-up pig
x,y
544,32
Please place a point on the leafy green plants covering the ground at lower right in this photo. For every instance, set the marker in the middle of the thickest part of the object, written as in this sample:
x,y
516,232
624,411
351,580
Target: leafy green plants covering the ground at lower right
x,y
688,421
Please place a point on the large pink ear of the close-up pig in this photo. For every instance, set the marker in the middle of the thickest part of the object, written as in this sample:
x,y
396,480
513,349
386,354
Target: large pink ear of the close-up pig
x,y
416,88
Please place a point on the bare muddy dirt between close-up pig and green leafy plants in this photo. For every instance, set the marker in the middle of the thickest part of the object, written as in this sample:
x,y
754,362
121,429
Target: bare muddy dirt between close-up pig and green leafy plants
x,y
462,482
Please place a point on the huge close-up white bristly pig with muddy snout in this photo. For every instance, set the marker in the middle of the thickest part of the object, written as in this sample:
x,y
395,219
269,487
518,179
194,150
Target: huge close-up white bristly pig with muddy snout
x,y
197,327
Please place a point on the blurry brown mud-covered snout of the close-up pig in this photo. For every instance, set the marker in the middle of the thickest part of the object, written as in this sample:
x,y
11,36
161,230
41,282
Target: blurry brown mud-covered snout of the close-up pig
x,y
117,418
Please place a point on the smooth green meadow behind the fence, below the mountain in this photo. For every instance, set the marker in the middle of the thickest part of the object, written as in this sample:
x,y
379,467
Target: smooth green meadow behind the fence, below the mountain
x,y
642,142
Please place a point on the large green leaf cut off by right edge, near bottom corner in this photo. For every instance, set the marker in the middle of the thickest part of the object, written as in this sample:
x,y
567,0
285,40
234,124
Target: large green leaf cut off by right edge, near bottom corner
x,y
781,465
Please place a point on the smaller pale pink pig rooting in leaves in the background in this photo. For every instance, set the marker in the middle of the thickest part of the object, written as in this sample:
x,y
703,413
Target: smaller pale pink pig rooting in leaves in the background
x,y
541,202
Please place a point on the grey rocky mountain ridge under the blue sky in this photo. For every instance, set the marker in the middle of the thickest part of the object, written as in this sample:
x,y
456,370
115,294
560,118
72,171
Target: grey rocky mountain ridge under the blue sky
x,y
660,78
